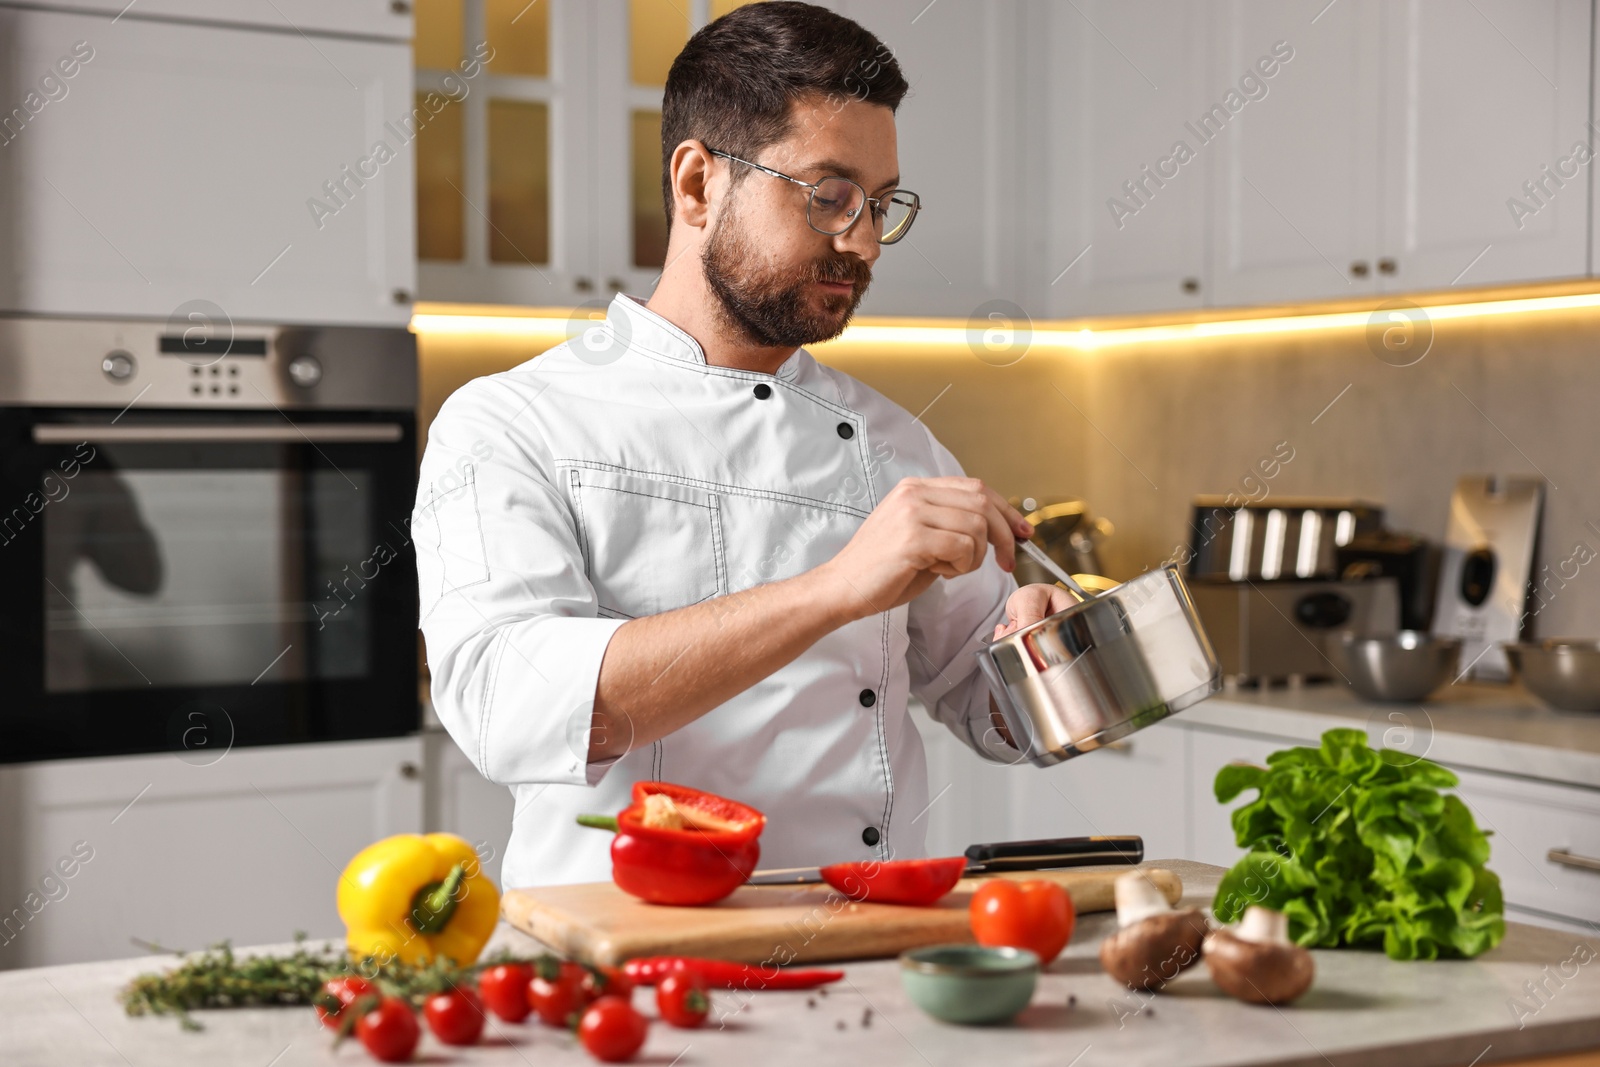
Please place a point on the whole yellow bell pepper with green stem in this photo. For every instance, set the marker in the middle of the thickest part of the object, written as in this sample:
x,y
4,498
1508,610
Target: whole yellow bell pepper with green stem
x,y
418,898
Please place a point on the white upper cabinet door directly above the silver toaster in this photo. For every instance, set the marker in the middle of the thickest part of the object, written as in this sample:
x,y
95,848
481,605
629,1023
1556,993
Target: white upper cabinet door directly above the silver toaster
x,y
1297,201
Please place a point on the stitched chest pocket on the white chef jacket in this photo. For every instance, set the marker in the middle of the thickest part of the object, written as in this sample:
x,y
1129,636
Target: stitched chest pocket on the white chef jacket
x,y
650,546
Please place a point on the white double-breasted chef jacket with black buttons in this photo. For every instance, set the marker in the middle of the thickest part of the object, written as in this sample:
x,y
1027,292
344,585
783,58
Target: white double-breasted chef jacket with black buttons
x,y
622,476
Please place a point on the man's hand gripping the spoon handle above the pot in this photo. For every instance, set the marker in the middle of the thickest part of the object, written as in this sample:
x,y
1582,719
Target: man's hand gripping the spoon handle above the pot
x,y
926,529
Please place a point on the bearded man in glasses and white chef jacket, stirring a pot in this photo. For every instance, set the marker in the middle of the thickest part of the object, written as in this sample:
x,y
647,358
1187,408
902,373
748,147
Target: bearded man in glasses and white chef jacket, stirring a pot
x,y
682,549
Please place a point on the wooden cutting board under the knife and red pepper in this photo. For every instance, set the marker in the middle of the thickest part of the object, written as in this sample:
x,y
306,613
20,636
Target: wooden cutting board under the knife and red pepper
x,y
602,925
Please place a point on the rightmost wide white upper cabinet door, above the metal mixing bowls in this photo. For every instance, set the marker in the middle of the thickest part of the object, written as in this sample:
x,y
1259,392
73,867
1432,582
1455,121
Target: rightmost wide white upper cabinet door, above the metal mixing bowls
x,y
1482,111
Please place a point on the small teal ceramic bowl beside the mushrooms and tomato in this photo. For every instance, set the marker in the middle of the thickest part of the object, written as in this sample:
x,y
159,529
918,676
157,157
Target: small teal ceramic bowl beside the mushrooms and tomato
x,y
970,985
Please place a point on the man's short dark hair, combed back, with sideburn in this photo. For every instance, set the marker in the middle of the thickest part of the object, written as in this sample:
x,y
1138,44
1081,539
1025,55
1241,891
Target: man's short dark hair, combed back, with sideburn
x,y
734,84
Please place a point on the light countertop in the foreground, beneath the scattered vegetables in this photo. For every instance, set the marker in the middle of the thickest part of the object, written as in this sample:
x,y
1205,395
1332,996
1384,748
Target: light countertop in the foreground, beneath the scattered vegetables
x,y
1364,1012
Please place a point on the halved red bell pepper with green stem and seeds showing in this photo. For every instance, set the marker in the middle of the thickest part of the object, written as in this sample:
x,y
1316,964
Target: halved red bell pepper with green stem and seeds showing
x,y
679,845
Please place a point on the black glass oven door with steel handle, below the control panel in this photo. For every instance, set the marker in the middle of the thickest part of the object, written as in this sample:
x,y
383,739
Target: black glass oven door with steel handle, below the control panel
x,y
180,583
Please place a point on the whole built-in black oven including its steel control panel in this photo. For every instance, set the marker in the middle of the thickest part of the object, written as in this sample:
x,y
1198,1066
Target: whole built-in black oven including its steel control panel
x,y
204,537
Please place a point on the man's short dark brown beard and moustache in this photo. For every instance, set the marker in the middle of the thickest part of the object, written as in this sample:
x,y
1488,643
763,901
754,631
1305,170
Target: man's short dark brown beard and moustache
x,y
772,308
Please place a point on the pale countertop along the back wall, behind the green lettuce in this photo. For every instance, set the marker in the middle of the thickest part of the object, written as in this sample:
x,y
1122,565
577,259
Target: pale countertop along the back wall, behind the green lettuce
x,y
1495,729
